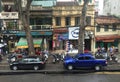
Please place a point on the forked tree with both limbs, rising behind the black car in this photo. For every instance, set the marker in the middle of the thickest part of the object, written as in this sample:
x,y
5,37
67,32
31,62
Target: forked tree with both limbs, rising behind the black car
x,y
24,15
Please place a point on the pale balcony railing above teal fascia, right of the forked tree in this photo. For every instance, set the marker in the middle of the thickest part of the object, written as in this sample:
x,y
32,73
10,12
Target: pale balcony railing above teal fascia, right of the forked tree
x,y
41,27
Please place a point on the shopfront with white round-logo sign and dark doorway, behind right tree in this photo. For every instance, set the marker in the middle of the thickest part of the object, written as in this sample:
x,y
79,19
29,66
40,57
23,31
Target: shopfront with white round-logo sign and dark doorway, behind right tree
x,y
74,35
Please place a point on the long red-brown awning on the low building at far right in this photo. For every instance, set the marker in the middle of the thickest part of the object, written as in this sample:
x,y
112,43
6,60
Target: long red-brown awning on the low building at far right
x,y
107,38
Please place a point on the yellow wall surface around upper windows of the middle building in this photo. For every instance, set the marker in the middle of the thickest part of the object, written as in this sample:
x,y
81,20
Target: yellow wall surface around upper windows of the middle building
x,y
74,11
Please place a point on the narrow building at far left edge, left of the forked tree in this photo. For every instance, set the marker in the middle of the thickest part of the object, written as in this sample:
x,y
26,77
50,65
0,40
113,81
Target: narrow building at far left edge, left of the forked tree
x,y
9,25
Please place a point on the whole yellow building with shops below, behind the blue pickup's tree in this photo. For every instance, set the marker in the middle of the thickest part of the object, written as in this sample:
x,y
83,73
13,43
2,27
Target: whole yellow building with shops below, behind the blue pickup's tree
x,y
67,15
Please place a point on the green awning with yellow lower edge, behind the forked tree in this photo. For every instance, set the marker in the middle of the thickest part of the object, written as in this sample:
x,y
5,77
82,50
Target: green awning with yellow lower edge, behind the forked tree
x,y
23,43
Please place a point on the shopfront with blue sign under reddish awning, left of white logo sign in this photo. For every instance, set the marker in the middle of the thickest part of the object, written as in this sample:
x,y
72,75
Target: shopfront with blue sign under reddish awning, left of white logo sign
x,y
60,36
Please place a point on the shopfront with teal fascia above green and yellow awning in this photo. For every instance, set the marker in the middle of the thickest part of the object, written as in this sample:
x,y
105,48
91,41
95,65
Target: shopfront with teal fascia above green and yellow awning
x,y
42,40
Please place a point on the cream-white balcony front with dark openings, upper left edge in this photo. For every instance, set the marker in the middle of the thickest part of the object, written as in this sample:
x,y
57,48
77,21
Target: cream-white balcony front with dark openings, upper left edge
x,y
9,15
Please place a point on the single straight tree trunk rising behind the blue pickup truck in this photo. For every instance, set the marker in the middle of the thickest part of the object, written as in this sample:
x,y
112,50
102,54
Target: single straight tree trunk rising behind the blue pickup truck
x,y
82,27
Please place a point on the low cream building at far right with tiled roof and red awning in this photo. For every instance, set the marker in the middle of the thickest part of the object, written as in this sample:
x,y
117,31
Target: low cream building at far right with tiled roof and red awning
x,y
107,33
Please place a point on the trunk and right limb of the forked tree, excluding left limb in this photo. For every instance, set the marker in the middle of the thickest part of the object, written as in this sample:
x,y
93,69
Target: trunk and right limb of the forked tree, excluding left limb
x,y
26,18
